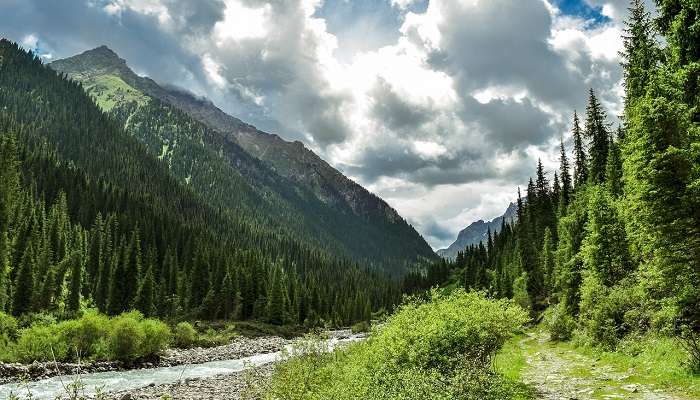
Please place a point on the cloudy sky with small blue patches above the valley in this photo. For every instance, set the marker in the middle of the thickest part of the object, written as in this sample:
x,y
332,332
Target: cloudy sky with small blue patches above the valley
x,y
441,107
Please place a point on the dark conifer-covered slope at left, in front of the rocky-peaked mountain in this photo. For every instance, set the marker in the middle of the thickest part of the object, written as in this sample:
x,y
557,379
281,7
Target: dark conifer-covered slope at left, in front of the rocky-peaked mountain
x,y
89,218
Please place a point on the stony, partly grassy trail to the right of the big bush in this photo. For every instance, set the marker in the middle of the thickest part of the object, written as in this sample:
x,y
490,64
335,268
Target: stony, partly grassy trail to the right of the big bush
x,y
559,373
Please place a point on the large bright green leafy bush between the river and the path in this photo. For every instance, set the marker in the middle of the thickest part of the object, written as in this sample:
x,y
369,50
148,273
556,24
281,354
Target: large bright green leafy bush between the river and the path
x,y
436,349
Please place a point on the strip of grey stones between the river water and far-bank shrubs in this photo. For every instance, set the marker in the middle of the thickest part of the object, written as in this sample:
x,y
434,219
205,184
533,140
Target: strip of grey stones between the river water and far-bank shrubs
x,y
238,348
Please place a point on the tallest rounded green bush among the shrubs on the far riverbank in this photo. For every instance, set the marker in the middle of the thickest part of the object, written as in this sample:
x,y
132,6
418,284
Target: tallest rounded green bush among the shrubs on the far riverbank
x,y
126,337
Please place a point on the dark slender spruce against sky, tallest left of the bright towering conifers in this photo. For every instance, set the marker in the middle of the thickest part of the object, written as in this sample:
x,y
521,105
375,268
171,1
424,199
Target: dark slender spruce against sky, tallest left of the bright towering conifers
x,y
598,136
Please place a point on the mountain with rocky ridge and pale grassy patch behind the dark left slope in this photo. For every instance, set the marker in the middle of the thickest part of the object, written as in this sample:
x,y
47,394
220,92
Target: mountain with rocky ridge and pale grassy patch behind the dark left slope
x,y
259,176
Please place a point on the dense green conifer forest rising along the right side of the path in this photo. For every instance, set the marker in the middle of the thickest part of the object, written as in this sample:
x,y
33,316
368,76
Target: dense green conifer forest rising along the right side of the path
x,y
609,244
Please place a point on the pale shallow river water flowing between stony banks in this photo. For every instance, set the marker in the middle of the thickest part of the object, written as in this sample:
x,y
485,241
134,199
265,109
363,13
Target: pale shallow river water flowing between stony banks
x,y
113,381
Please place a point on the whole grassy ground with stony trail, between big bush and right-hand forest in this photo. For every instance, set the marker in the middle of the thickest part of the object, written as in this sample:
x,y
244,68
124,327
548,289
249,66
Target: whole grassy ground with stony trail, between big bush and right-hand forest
x,y
563,371
